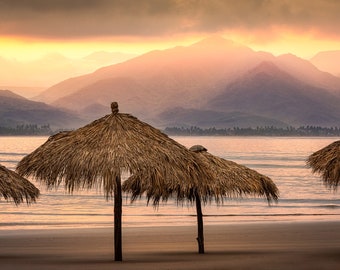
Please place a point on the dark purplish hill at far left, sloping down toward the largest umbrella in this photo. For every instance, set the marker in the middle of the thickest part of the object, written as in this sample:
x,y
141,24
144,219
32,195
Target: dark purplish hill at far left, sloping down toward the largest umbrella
x,y
17,110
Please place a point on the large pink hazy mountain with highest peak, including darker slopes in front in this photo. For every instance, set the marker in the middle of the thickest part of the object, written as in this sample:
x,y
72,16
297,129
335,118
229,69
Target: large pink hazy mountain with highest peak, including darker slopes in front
x,y
212,83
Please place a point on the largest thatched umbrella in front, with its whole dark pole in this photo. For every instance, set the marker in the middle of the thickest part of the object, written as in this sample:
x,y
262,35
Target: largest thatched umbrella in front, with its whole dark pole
x,y
98,153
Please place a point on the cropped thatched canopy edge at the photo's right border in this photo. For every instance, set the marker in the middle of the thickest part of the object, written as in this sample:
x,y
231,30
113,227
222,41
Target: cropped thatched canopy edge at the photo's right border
x,y
326,162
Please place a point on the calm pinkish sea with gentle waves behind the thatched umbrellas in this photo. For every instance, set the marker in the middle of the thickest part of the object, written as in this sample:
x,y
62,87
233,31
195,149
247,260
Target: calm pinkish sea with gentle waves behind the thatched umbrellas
x,y
302,194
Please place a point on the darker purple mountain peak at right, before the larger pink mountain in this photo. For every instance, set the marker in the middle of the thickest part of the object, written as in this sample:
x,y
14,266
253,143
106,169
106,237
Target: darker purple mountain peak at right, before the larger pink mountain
x,y
270,92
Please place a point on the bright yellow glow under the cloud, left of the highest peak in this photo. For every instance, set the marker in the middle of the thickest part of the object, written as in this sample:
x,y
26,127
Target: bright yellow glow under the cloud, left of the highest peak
x,y
31,49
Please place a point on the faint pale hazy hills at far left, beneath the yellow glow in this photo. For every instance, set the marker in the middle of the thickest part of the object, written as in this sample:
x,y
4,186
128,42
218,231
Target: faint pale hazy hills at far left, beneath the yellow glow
x,y
52,68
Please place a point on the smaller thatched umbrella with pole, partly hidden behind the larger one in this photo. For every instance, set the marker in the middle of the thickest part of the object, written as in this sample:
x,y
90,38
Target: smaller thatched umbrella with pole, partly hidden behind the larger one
x,y
227,179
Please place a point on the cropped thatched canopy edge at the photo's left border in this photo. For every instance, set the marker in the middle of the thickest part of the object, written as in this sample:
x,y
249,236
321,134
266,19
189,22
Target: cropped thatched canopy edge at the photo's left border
x,y
15,187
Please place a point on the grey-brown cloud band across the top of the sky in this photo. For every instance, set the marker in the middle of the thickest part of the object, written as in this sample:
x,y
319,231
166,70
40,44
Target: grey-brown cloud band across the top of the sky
x,y
65,19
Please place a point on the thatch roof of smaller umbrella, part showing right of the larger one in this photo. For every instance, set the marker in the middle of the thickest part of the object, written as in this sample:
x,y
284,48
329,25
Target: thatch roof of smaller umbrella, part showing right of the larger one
x,y
235,180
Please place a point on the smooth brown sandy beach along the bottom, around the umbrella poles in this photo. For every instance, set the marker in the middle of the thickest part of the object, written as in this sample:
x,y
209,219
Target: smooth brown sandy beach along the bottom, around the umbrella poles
x,y
270,245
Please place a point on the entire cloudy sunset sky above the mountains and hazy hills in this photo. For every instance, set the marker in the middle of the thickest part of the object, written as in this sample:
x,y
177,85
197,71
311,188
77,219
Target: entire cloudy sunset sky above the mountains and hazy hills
x,y
31,28
